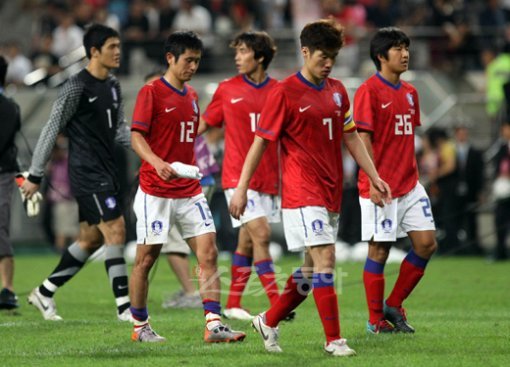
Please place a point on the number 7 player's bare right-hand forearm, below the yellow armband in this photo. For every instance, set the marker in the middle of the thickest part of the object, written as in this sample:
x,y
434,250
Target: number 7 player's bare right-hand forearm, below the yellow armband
x,y
361,155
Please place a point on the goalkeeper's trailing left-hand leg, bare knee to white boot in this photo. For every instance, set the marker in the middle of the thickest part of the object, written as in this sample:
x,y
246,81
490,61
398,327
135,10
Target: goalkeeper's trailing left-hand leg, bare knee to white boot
x,y
71,262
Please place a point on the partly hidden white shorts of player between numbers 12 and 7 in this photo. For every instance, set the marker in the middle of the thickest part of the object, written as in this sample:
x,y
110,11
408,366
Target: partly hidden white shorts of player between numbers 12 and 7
x,y
259,205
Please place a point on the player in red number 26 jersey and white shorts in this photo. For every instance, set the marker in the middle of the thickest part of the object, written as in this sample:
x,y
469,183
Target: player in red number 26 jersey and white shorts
x,y
387,111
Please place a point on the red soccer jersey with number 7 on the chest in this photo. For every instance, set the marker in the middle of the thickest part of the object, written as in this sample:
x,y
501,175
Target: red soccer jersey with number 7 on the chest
x,y
309,121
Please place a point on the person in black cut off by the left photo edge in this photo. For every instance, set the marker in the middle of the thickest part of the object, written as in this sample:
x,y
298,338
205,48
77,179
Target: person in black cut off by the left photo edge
x,y
11,123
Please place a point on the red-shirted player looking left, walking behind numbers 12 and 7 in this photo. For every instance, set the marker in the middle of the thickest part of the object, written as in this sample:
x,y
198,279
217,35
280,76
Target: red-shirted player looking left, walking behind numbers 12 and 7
x,y
236,104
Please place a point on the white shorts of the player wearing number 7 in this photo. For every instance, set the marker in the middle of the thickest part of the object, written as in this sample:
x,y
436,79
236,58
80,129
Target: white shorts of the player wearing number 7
x,y
309,226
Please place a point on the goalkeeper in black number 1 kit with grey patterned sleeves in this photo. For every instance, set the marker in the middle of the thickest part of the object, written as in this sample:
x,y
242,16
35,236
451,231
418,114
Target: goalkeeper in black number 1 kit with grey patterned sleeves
x,y
89,108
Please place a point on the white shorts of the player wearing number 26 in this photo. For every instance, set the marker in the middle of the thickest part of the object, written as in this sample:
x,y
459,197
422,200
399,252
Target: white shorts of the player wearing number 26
x,y
411,212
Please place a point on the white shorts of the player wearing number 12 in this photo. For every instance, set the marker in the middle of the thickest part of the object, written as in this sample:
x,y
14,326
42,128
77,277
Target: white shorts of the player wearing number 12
x,y
156,216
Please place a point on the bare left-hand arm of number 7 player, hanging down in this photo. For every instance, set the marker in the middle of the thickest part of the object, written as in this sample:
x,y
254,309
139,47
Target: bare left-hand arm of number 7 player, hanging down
x,y
239,199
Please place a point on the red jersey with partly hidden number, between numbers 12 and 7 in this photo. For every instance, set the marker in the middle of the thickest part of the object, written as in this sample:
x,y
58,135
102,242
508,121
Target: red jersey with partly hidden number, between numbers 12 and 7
x,y
237,104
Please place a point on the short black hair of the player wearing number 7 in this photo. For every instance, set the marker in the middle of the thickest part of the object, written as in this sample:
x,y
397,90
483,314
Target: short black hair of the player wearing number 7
x,y
323,34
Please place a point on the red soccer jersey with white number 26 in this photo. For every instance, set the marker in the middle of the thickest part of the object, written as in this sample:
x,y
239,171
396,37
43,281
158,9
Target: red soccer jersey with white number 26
x,y
391,113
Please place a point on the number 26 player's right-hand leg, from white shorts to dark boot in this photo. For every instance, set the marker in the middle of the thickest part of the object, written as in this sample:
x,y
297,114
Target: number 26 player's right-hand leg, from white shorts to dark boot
x,y
418,222
